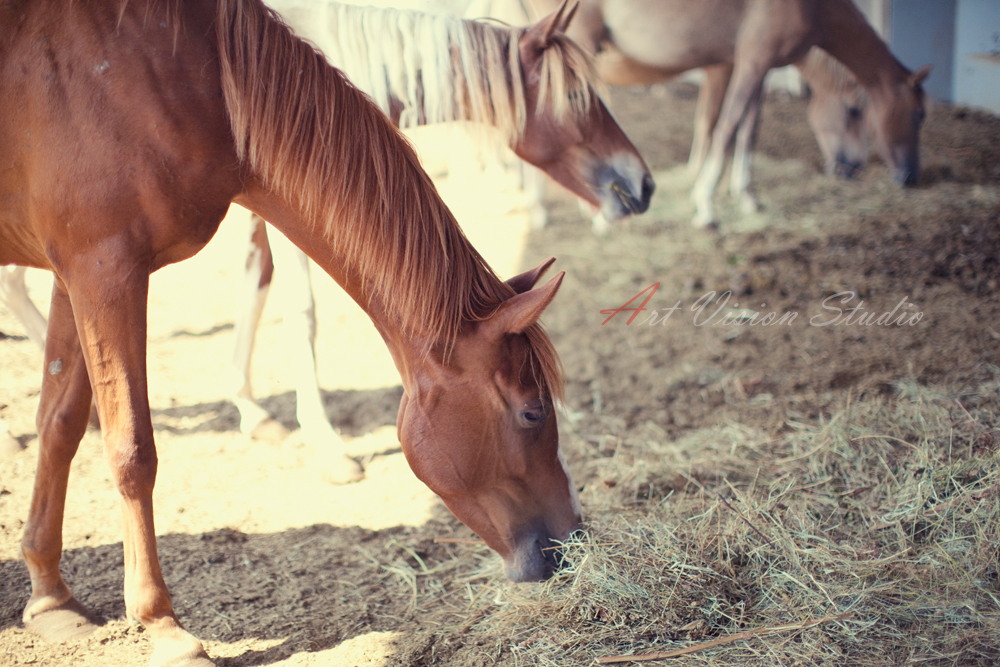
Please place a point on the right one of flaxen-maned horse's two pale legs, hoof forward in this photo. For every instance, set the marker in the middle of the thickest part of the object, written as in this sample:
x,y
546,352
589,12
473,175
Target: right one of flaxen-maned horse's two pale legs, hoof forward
x,y
299,320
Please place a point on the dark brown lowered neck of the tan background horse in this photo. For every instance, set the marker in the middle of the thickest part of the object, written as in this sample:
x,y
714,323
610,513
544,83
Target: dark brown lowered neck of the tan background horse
x,y
848,37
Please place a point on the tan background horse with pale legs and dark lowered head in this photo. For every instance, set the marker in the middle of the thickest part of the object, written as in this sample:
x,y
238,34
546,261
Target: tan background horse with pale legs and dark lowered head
x,y
754,36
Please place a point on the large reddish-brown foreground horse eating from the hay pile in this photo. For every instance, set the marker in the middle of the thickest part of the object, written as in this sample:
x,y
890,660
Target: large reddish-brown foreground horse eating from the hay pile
x,y
126,130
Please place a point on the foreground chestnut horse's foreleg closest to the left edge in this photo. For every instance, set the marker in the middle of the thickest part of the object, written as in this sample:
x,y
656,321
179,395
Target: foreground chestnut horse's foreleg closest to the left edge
x,y
52,611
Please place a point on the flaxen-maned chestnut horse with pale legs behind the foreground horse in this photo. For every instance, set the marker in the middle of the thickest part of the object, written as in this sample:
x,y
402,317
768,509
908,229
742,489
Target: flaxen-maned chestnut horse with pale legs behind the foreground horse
x,y
423,68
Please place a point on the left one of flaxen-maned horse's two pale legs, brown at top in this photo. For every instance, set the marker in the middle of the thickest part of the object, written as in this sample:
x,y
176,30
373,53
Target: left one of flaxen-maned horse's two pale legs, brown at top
x,y
254,420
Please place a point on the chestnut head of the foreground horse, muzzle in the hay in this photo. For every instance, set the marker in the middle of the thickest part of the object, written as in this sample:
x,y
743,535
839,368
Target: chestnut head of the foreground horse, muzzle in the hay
x,y
478,426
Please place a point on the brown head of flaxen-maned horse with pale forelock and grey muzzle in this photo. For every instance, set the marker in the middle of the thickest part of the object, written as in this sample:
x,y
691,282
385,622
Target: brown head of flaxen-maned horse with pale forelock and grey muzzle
x,y
568,132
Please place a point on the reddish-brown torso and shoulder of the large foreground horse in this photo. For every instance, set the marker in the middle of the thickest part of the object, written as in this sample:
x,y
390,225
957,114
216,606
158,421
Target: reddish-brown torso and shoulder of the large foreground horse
x,y
111,128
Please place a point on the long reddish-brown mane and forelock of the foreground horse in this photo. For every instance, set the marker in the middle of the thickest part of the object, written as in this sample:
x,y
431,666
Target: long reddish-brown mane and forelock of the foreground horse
x,y
321,144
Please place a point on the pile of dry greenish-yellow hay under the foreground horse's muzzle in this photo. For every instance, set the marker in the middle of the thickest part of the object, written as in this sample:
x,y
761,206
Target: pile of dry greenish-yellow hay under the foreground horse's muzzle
x,y
867,538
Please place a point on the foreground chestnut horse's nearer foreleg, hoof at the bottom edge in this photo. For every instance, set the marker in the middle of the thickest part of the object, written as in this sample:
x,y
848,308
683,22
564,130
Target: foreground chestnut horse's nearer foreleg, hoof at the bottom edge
x,y
109,304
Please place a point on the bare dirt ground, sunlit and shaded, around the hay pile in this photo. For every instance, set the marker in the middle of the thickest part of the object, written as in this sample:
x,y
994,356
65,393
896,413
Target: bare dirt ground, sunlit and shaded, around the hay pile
x,y
273,566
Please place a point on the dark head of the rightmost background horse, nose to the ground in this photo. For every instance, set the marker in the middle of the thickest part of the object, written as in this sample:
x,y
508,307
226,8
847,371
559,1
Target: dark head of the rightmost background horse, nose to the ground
x,y
896,119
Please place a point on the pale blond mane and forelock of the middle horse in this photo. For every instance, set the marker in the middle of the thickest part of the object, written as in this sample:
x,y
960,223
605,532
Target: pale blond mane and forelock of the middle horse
x,y
443,68
